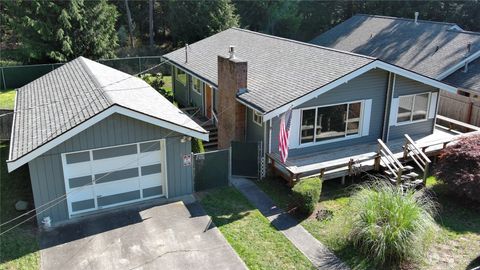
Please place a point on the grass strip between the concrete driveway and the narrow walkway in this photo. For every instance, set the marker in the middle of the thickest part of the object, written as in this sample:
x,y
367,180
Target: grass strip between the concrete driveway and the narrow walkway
x,y
252,236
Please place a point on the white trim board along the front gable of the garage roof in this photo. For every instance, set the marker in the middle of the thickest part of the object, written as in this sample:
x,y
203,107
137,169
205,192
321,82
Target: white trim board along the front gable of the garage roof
x,y
12,165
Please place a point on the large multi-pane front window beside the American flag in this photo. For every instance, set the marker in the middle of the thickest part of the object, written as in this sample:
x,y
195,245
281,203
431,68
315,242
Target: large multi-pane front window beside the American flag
x,y
330,122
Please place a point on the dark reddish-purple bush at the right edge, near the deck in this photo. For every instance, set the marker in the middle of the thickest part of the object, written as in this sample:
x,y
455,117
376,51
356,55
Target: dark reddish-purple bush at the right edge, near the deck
x,y
459,167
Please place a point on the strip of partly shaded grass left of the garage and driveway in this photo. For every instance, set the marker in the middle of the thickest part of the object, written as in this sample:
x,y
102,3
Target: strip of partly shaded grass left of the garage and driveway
x,y
19,247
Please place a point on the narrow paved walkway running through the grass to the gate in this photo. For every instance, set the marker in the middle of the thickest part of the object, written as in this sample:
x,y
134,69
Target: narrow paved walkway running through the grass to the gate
x,y
316,252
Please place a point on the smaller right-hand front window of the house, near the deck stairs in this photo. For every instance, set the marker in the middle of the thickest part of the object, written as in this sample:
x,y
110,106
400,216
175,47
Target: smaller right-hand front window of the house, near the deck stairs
x,y
413,108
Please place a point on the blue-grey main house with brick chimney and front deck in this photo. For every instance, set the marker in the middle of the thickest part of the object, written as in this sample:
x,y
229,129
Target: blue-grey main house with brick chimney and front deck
x,y
341,102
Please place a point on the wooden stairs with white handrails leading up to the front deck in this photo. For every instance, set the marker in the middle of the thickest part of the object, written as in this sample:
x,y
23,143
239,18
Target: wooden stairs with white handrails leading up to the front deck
x,y
397,170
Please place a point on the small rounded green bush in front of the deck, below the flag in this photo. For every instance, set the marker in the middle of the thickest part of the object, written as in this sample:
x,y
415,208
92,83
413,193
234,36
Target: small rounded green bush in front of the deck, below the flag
x,y
307,194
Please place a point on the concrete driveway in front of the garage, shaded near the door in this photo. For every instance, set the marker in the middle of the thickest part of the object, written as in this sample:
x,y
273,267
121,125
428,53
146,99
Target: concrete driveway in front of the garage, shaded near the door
x,y
171,236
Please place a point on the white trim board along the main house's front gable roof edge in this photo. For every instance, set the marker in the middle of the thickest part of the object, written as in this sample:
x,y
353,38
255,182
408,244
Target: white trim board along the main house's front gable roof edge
x,y
375,64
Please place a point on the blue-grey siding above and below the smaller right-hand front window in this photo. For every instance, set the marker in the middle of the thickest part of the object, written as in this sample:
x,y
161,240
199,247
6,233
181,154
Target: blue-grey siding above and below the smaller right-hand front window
x,y
405,86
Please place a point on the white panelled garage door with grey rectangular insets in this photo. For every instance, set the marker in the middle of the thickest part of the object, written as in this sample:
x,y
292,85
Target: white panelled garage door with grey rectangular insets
x,y
106,177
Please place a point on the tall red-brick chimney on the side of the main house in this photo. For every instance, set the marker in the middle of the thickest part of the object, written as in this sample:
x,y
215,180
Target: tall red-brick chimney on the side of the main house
x,y
232,76
